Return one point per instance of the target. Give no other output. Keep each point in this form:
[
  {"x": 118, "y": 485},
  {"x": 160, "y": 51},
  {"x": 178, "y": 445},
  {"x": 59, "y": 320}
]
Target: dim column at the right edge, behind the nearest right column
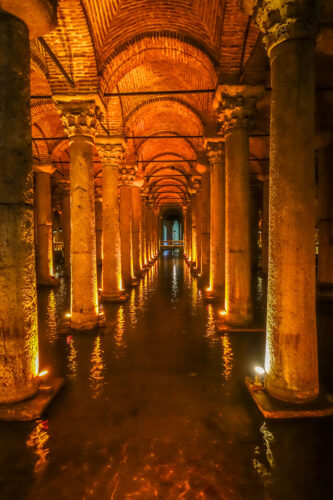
[{"x": 325, "y": 222}]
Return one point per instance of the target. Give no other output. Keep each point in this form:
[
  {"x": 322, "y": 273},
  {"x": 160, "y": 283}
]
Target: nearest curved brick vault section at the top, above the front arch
[{"x": 114, "y": 23}]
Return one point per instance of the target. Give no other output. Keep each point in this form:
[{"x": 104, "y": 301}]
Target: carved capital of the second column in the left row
[{"x": 79, "y": 117}]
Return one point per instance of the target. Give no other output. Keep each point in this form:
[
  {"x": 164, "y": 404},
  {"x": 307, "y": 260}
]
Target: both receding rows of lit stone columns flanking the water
[{"x": 127, "y": 225}]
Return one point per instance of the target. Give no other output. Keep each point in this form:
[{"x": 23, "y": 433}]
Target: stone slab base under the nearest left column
[{"x": 34, "y": 407}]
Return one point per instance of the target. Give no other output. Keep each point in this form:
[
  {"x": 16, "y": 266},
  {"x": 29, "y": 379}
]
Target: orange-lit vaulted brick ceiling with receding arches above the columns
[{"x": 113, "y": 46}]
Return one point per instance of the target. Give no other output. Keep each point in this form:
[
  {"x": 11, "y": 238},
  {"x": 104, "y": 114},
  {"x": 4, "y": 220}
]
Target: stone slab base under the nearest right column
[{"x": 274, "y": 408}]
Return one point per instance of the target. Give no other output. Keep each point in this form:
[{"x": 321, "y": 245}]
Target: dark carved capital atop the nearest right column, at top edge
[{"x": 283, "y": 20}]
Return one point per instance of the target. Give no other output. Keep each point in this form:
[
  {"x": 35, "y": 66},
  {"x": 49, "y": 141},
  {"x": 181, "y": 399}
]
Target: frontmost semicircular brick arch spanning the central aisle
[{"x": 158, "y": 47}]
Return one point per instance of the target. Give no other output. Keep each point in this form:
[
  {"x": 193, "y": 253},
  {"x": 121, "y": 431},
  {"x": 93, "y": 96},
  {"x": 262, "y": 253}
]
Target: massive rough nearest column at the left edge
[{"x": 18, "y": 299}]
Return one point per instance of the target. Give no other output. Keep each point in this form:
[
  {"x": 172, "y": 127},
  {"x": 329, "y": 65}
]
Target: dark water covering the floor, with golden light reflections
[{"x": 155, "y": 407}]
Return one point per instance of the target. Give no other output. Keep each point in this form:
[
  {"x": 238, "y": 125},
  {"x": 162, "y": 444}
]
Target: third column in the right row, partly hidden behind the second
[{"x": 215, "y": 151}]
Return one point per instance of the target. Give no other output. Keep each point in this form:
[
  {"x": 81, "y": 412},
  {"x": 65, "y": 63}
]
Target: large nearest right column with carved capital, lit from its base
[{"x": 291, "y": 344}]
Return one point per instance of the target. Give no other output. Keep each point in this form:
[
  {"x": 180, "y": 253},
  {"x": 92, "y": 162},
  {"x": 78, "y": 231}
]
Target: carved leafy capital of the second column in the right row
[{"x": 235, "y": 105}]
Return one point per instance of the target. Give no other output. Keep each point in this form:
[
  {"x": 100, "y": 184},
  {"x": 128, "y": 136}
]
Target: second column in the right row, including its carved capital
[{"x": 235, "y": 107}]
